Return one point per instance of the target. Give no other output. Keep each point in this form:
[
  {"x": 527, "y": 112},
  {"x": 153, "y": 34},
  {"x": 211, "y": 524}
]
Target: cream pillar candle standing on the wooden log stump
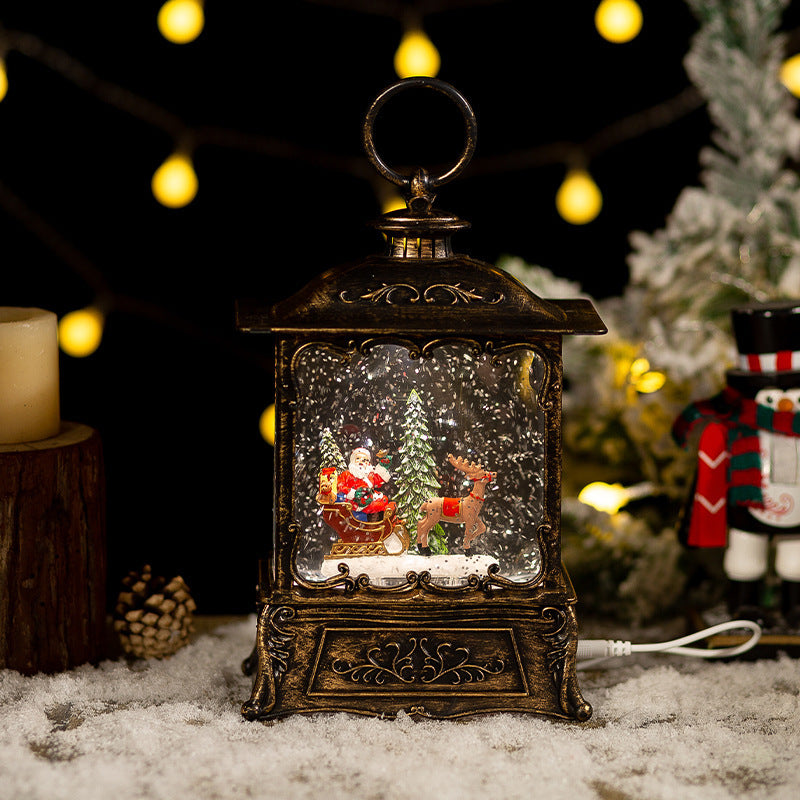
[{"x": 29, "y": 406}]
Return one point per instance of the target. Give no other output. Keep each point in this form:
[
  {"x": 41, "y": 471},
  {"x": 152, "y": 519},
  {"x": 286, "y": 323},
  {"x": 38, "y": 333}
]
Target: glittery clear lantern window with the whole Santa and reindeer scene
[{"x": 431, "y": 463}]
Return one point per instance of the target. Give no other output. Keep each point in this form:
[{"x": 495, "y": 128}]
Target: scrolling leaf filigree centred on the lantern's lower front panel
[{"x": 418, "y": 661}]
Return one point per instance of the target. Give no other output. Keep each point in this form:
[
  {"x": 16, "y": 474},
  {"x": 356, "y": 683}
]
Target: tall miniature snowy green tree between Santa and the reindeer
[{"x": 415, "y": 474}]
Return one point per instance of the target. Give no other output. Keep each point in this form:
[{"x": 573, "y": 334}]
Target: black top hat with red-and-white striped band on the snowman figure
[{"x": 768, "y": 341}]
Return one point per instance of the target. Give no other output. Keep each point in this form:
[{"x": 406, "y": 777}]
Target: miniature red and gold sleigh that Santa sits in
[{"x": 384, "y": 537}]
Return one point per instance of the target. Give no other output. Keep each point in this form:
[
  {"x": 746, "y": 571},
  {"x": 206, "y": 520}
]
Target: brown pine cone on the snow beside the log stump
[{"x": 153, "y": 618}]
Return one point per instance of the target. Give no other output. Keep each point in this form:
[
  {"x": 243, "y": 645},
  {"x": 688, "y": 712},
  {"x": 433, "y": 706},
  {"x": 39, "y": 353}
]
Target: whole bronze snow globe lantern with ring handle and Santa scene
[{"x": 417, "y": 558}]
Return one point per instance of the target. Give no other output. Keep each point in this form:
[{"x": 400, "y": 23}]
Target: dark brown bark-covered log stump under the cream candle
[{"x": 52, "y": 552}]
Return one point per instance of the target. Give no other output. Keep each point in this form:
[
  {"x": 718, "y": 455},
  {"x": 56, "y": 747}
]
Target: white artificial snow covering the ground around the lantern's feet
[{"x": 663, "y": 727}]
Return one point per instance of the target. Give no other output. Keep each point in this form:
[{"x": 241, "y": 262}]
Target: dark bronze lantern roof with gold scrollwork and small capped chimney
[{"x": 424, "y": 288}]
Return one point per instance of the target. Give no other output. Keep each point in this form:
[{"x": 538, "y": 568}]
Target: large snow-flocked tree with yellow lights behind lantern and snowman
[{"x": 734, "y": 239}]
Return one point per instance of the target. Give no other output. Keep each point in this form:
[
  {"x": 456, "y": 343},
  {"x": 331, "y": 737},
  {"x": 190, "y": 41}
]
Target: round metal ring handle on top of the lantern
[{"x": 427, "y": 83}]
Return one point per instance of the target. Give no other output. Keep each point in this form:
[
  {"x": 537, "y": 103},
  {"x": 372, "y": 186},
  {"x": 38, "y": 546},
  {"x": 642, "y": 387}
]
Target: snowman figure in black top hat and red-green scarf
[{"x": 747, "y": 491}]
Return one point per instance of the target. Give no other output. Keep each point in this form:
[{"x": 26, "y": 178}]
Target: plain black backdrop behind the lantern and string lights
[{"x": 174, "y": 390}]
